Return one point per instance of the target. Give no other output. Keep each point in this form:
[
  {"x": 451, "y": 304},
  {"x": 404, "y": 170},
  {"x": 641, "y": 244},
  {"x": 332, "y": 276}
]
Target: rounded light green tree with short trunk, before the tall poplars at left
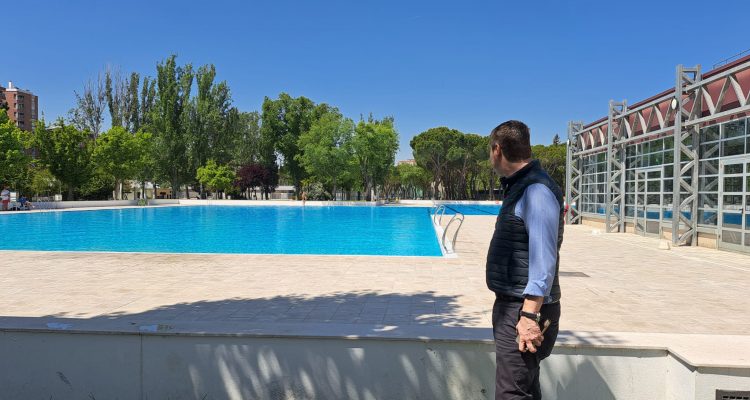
[{"x": 116, "y": 154}]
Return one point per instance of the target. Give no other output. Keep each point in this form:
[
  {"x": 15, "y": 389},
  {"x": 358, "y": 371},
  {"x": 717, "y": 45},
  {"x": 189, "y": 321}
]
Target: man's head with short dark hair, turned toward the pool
[{"x": 510, "y": 147}]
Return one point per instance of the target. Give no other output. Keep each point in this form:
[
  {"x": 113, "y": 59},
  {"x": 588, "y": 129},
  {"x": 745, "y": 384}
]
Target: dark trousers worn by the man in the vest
[{"x": 517, "y": 374}]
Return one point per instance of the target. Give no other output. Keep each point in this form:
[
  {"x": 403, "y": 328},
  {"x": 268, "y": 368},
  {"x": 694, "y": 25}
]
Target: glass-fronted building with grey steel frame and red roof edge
[{"x": 676, "y": 165}]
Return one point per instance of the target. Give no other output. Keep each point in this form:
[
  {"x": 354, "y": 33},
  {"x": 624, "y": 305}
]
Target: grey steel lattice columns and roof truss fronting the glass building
[{"x": 679, "y": 113}]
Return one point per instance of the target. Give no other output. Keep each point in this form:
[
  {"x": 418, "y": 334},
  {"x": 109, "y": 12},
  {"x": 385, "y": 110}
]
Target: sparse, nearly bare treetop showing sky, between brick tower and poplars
[{"x": 88, "y": 114}]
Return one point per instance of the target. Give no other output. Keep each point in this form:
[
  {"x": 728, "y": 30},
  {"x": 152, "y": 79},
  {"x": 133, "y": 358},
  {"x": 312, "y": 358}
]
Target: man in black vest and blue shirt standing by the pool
[{"x": 522, "y": 264}]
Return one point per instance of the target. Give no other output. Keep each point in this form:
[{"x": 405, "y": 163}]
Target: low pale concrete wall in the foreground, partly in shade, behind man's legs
[{"x": 65, "y": 365}]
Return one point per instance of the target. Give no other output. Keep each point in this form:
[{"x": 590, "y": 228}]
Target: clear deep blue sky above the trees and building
[{"x": 467, "y": 65}]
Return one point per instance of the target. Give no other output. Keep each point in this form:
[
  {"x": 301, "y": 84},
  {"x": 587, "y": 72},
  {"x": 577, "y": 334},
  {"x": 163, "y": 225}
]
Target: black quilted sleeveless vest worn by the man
[{"x": 508, "y": 255}]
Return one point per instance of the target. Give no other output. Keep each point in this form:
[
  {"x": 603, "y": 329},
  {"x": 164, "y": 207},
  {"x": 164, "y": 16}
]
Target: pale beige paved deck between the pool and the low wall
[{"x": 616, "y": 288}]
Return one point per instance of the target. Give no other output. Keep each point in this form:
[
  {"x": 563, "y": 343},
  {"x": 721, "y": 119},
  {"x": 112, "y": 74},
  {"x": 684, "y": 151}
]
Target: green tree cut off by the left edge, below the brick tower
[{"x": 14, "y": 158}]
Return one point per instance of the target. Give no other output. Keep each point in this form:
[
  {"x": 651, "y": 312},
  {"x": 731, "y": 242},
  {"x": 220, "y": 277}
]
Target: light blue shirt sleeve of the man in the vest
[{"x": 540, "y": 211}]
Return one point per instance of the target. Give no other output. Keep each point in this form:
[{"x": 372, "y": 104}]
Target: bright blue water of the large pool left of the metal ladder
[{"x": 352, "y": 230}]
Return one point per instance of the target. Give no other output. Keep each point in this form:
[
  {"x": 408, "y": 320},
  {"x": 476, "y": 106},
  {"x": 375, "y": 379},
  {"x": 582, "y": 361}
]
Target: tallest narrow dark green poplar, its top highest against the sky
[{"x": 170, "y": 120}]
